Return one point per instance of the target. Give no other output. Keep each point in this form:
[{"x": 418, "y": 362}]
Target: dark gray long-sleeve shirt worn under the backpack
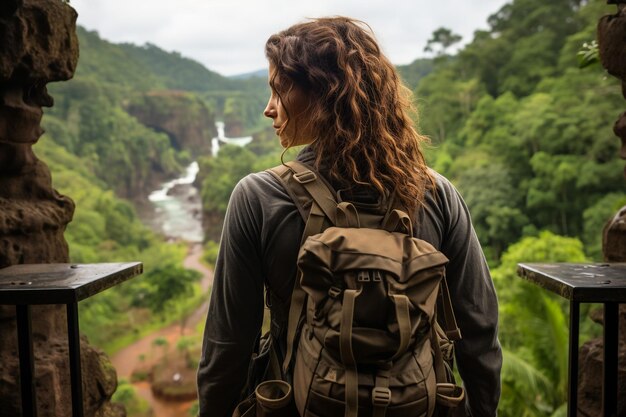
[{"x": 259, "y": 246}]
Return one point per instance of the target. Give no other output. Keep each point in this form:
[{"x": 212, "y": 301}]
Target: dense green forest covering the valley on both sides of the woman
[{"x": 520, "y": 129}]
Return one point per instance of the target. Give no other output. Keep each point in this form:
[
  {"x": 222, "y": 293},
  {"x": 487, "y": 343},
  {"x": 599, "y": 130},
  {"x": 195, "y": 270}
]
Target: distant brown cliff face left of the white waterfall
[{"x": 182, "y": 116}]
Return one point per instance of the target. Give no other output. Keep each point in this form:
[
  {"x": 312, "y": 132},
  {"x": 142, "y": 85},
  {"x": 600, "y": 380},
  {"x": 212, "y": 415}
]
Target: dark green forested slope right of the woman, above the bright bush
[{"x": 522, "y": 131}]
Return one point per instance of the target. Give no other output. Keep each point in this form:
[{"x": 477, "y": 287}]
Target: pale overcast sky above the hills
[{"x": 228, "y": 36}]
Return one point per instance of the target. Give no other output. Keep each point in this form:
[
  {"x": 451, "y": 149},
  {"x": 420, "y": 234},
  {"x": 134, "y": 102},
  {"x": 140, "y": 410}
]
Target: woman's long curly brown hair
[{"x": 359, "y": 109}]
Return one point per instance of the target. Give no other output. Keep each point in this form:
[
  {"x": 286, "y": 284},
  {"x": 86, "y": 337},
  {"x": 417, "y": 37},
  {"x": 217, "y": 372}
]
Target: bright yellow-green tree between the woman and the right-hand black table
[{"x": 533, "y": 329}]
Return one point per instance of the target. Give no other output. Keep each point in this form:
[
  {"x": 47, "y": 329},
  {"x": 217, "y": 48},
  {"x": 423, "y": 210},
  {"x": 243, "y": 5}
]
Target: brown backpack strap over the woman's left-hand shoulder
[{"x": 303, "y": 184}]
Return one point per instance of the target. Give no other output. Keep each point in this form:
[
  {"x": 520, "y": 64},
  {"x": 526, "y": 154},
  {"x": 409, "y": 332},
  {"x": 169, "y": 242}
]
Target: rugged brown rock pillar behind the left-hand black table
[{"x": 38, "y": 46}]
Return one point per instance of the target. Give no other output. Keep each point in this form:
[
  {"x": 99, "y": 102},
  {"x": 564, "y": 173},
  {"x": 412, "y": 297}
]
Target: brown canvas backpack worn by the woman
[{"x": 362, "y": 321}]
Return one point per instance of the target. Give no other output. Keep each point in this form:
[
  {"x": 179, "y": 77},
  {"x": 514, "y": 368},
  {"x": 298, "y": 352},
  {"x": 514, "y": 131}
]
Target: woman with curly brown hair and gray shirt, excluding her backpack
[{"x": 333, "y": 90}]
